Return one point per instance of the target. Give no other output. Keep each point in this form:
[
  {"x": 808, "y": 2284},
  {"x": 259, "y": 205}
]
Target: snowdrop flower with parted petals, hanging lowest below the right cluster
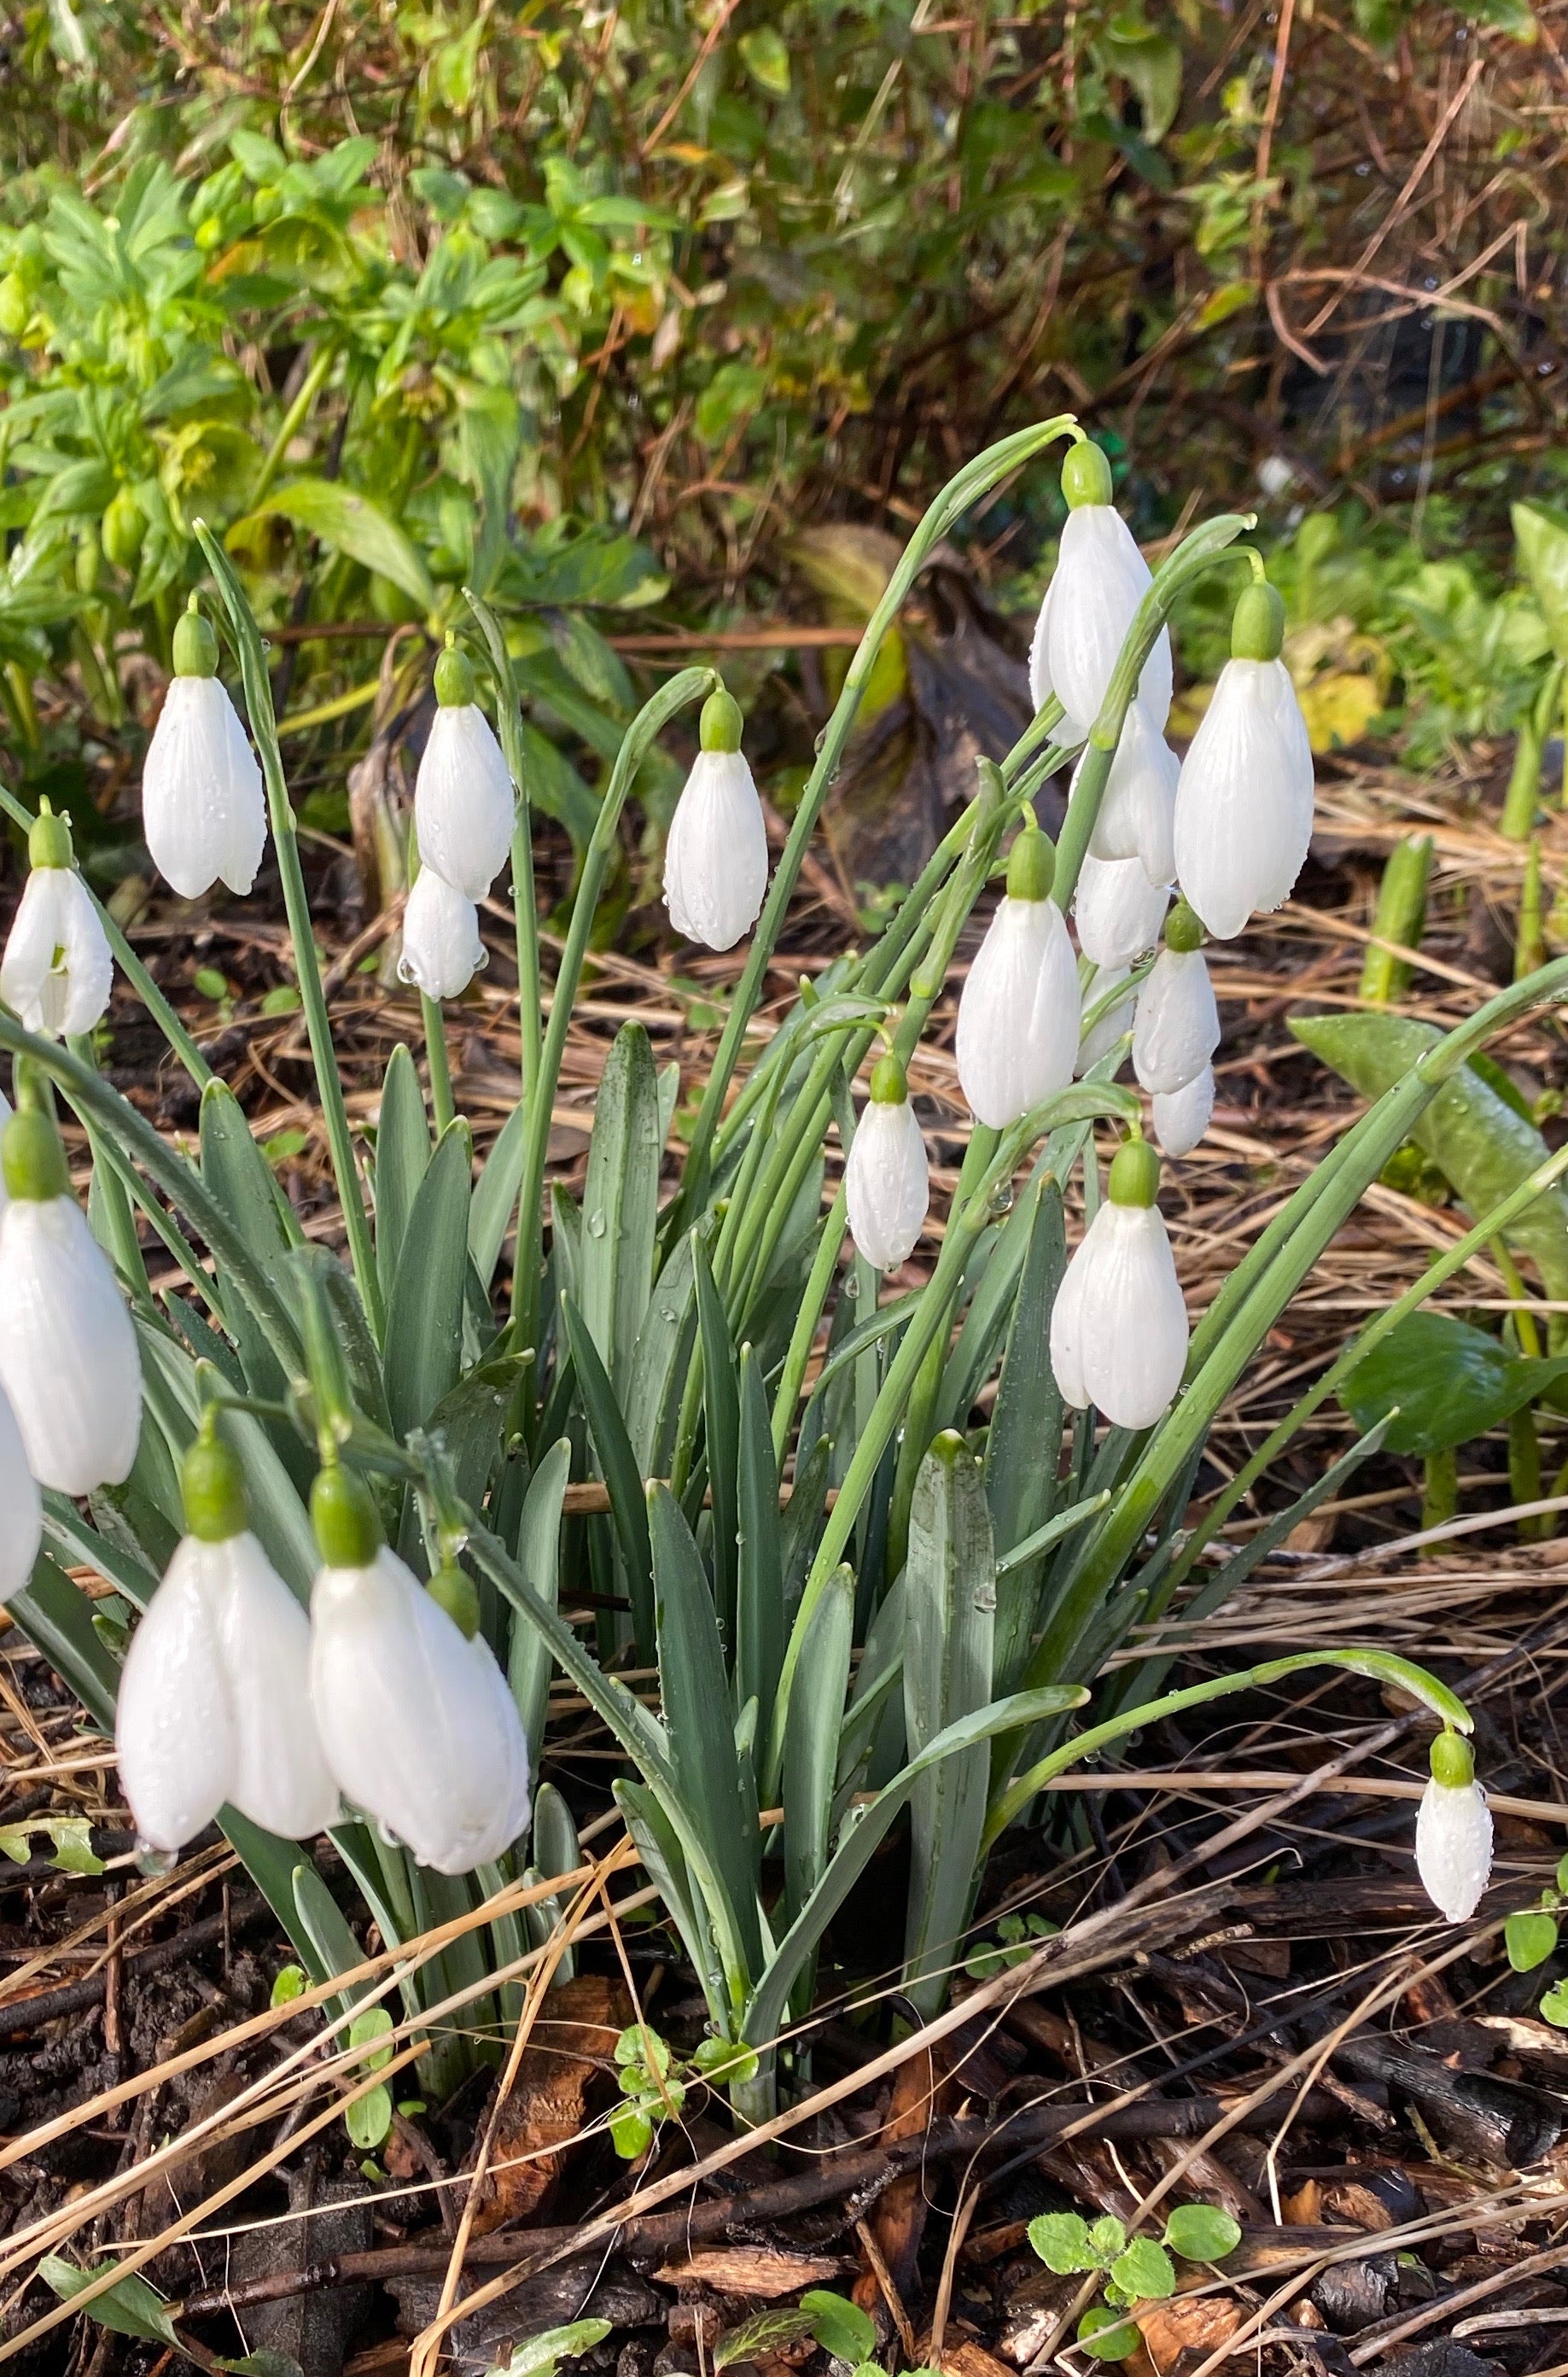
[{"x": 1120, "y": 1328}]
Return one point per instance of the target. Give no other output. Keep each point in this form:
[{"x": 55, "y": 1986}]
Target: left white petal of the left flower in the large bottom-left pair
[{"x": 175, "y": 1725}]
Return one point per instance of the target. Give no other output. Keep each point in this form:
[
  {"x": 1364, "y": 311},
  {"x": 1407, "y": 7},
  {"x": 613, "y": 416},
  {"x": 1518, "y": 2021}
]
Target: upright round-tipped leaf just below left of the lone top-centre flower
[{"x": 621, "y": 1204}]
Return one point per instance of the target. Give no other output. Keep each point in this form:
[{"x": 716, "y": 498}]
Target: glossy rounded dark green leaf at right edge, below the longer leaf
[{"x": 1443, "y": 1380}]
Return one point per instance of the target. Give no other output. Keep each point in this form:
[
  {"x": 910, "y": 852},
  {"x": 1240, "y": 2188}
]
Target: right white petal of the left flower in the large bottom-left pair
[{"x": 265, "y": 1646}]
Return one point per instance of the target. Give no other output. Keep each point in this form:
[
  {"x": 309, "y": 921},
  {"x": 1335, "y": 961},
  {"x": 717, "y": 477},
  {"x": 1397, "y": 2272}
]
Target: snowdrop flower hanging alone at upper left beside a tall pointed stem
[{"x": 203, "y": 807}]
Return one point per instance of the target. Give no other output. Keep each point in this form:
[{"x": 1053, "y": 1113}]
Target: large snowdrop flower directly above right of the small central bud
[{"x": 1018, "y": 1016}]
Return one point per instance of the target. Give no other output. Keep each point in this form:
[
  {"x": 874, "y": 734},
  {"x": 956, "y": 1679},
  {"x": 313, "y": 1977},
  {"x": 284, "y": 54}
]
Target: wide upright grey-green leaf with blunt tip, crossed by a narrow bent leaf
[{"x": 947, "y": 1675}]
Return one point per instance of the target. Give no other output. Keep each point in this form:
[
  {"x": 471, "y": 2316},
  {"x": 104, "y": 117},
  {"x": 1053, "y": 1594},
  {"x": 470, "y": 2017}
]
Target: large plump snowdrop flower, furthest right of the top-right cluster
[{"x": 1244, "y": 802}]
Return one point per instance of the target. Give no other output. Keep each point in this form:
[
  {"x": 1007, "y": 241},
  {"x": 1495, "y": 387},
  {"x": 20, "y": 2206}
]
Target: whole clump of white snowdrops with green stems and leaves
[{"x": 878, "y": 1544}]
